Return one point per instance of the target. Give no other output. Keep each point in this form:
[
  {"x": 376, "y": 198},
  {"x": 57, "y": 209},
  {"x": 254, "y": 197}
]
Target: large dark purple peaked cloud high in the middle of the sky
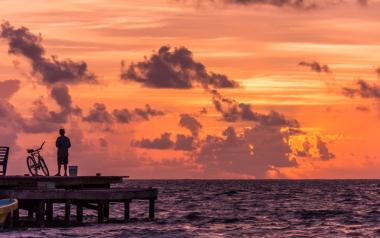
[{"x": 174, "y": 69}]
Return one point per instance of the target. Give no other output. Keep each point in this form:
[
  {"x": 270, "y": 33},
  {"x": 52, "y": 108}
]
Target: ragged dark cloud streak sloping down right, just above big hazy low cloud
[{"x": 233, "y": 111}]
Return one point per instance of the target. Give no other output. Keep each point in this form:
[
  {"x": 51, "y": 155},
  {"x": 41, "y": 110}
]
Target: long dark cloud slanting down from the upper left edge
[{"x": 52, "y": 70}]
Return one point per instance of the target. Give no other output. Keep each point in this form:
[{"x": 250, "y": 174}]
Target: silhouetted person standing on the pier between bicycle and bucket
[{"x": 63, "y": 144}]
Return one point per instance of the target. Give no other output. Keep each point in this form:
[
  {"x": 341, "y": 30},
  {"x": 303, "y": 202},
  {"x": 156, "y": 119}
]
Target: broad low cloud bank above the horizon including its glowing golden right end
[{"x": 258, "y": 151}]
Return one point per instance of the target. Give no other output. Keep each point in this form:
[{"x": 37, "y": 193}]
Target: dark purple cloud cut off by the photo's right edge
[{"x": 363, "y": 89}]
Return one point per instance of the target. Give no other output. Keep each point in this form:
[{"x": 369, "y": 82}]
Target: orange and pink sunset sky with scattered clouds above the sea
[{"x": 212, "y": 89}]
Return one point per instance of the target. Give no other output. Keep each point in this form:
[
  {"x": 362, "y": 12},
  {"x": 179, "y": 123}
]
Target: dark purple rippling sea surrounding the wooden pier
[{"x": 239, "y": 208}]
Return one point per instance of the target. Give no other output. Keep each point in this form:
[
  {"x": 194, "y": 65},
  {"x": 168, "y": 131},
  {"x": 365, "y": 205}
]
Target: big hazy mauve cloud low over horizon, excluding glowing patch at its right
[{"x": 253, "y": 152}]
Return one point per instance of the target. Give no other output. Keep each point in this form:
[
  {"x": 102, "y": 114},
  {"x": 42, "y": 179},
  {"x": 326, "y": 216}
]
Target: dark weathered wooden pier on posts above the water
[{"x": 38, "y": 194}]
